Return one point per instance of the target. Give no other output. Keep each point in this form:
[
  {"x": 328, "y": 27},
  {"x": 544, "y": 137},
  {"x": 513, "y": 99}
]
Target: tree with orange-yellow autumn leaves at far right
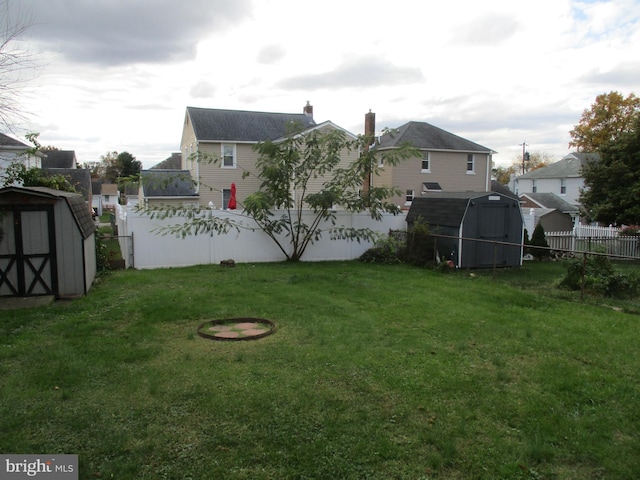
[{"x": 609, "y": 117}]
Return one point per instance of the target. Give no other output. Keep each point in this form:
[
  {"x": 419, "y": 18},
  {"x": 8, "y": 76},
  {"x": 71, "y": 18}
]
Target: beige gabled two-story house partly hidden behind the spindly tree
[{"x": 217, "y": 149}]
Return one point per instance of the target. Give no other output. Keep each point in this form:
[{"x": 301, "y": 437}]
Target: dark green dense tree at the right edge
[{"x": 612, "y": 184}]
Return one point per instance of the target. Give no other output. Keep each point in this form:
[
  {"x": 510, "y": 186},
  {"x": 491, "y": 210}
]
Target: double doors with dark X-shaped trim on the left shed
[{"x": 27, "y": 252}]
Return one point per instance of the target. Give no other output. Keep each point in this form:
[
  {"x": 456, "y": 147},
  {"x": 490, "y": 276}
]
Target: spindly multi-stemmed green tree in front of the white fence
[{"x": 287, "y": 209}]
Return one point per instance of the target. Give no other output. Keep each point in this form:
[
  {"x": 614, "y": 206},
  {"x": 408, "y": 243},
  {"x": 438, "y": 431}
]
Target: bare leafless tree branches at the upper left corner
[{"x": 17, "y": 64}]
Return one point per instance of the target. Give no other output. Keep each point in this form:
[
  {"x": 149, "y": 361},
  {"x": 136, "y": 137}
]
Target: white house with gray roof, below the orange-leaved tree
[{"x": 563, "y": 178}]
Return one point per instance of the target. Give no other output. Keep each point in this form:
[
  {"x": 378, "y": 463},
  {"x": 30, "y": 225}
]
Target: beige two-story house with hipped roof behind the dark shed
[{"x": 448, "y": 163}]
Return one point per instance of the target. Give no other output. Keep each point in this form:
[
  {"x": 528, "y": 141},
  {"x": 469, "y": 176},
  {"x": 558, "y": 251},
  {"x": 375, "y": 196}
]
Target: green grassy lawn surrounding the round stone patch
[{"x": 375, "y": 372}]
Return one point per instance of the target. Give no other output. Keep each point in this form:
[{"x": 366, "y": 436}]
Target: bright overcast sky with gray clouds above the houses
[{"x": 118, "y": 75}]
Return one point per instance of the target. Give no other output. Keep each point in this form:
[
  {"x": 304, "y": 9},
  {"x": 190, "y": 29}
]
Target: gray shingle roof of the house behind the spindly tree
[{"x": 241, "y": 126}]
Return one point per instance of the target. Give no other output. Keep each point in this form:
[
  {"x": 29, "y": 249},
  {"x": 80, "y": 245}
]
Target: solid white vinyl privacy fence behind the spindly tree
[{"x": 151, "y": 249}]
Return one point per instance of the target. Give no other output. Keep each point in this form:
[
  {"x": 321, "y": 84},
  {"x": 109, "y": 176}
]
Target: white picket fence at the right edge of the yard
[{"x": 586, "y": 238}]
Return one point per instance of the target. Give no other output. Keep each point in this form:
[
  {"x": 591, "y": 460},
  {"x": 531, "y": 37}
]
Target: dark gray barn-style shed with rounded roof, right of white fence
[{"x": 477, "y": 221}]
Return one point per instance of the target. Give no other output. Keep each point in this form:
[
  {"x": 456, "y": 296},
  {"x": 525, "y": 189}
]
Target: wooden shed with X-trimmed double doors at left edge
[{"x": 47, "y": 245}]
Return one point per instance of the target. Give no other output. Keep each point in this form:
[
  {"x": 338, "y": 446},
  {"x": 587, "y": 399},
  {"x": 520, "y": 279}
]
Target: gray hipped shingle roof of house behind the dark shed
[{"x": 428, "y": 137}]
